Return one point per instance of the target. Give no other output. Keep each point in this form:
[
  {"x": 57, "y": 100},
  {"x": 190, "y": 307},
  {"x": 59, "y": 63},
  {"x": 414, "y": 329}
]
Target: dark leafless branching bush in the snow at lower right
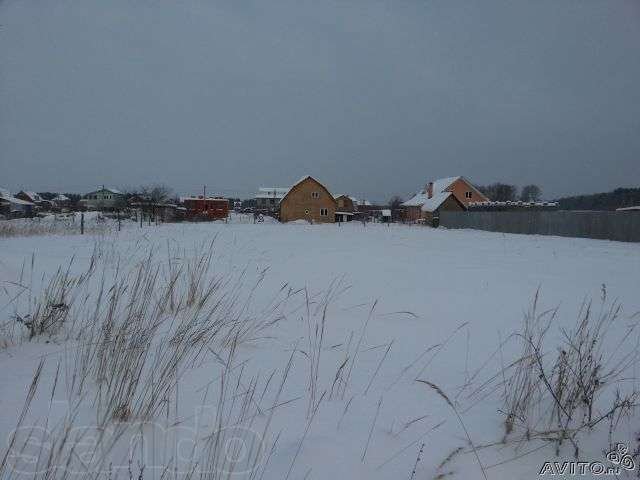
[{"x": 556, "y": 393}]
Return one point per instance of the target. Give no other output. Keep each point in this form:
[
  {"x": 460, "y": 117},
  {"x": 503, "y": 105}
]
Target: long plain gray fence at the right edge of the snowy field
[{"x": 621, "y": 226}]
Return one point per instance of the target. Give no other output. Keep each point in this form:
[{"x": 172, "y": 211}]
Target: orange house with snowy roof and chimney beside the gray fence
[{"x": 451, "y": 193}]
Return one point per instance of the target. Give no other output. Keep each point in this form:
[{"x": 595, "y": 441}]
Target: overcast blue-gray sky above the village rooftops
[{"x": 371, "y": 97}]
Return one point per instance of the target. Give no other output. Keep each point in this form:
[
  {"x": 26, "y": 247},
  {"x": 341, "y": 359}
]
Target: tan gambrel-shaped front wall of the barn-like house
[{"x": 301, "y": 204}]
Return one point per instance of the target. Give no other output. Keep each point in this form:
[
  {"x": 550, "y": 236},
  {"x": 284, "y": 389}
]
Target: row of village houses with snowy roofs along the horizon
[{"x": 307, "y": 199}]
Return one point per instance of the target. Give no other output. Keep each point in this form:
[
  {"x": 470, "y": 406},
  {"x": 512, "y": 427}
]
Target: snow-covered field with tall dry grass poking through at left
[{"x": 313, "y": 343}]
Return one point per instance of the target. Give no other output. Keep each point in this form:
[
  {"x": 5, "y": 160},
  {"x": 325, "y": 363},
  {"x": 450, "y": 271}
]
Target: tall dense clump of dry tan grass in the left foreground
[{"x": 150, "y": 324}]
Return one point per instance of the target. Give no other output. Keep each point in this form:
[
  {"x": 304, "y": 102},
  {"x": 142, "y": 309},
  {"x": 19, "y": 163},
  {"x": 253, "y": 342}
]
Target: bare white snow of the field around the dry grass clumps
[{"x": 443, "y": 301}]
